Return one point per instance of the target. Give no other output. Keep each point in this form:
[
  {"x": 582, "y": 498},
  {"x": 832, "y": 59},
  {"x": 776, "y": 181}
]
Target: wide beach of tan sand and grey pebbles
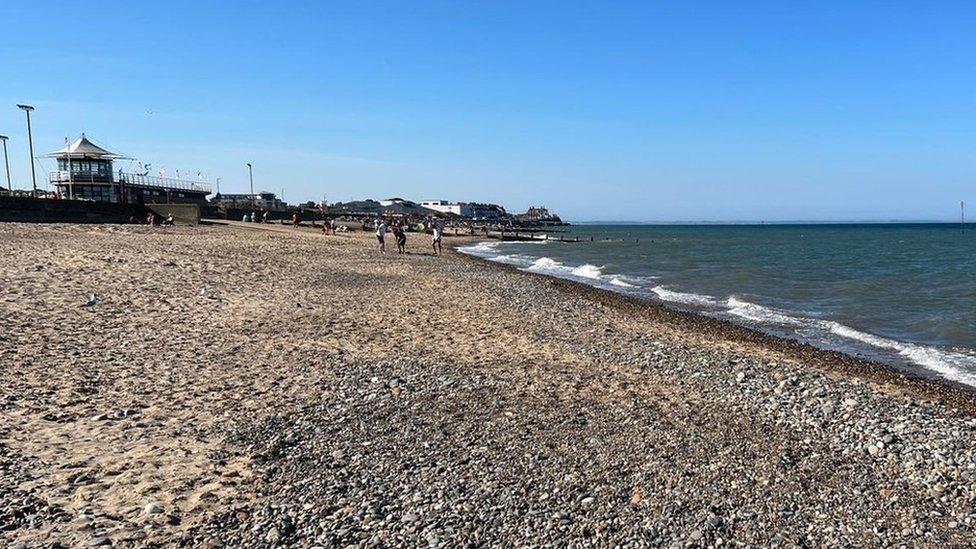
[{"x": 260, "y": 386}]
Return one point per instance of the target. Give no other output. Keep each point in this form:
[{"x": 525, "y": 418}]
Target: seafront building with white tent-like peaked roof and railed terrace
[{"x": 85, "y": 172}]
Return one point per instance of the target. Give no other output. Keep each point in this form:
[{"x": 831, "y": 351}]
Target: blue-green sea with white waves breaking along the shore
[{"x": 901, "y": 294}]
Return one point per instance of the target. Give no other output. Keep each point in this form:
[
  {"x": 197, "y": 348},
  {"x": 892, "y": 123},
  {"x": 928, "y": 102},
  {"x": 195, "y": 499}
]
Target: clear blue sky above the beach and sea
[{"x": 600, "y": 110}]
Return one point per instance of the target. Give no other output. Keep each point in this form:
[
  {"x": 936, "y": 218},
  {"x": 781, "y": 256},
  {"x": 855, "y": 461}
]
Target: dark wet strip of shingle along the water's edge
[{"x": 931, "y": 386}]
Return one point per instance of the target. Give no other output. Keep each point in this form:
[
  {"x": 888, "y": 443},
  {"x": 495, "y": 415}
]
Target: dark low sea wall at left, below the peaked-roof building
[{"x": 42, "y": 210}]
